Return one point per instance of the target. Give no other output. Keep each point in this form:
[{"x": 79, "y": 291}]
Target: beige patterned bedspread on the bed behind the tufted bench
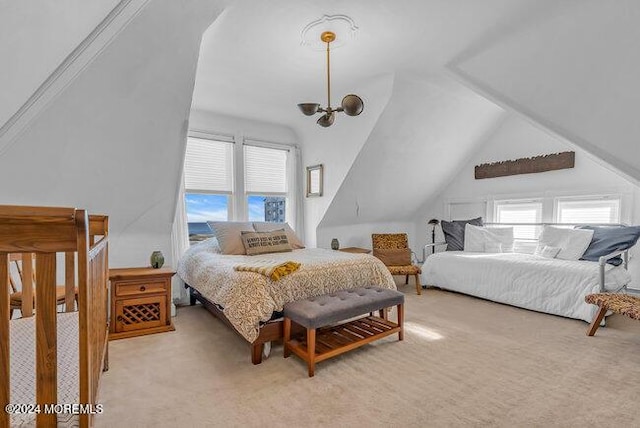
[{"x": 248, "y": 297}]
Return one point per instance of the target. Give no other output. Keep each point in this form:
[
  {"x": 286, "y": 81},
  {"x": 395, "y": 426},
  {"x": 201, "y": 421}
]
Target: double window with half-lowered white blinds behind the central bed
[{"x": 226, "y": 181}]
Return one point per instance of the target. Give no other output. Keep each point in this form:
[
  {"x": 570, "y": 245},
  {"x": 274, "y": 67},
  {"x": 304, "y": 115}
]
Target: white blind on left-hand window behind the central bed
[{"x": 208, "y": 166}]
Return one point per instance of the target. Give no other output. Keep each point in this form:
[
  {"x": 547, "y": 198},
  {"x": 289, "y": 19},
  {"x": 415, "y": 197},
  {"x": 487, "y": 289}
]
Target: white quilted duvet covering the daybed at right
[{"x": 533, "y": 282}]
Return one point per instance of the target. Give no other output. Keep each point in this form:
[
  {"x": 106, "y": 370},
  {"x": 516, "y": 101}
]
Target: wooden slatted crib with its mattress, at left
[{"x": 53, "y": 358}]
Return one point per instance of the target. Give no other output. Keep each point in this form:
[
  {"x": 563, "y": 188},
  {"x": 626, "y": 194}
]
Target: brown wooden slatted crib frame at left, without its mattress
[{"x": 41, "y": 233}]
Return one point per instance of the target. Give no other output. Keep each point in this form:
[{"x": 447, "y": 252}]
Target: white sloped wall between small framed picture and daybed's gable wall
[{"x": 419, "y": 142}]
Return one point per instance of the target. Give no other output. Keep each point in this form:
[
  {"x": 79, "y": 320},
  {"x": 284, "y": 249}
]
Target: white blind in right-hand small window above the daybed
[{"x": 601, "y": 210}]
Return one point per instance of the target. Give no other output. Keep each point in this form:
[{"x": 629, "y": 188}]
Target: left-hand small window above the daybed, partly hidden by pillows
[{"x": 518, "y": 211}]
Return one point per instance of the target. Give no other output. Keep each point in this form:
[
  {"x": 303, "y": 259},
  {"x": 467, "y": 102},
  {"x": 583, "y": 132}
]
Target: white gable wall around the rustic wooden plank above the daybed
[{"x": 516, "y": 138}]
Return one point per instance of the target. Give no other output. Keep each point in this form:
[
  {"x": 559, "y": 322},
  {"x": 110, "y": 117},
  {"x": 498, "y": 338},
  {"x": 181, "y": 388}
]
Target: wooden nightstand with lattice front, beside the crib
[{"x": 140, "y": 302}]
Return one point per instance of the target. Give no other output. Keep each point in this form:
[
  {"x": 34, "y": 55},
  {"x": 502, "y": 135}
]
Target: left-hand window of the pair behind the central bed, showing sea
[{"x": 208, "y": 181}]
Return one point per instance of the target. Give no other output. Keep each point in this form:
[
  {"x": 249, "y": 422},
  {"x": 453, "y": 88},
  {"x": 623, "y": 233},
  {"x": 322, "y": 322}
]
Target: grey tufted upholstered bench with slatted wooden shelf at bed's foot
[{"x": 319, "y": 315}]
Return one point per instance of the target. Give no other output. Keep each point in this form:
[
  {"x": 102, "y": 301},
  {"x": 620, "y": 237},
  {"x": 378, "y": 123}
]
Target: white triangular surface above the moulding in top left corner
[{"x": 35, "y": 37}]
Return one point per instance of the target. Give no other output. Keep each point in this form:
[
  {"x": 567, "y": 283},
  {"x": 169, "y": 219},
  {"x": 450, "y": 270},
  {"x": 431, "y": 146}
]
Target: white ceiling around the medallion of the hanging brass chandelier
[{"x": 252, "y": 63}]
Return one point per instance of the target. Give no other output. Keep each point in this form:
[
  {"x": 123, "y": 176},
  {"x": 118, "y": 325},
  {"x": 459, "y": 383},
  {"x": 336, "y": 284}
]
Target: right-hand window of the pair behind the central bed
[{"x": 265, "y": 183}]
